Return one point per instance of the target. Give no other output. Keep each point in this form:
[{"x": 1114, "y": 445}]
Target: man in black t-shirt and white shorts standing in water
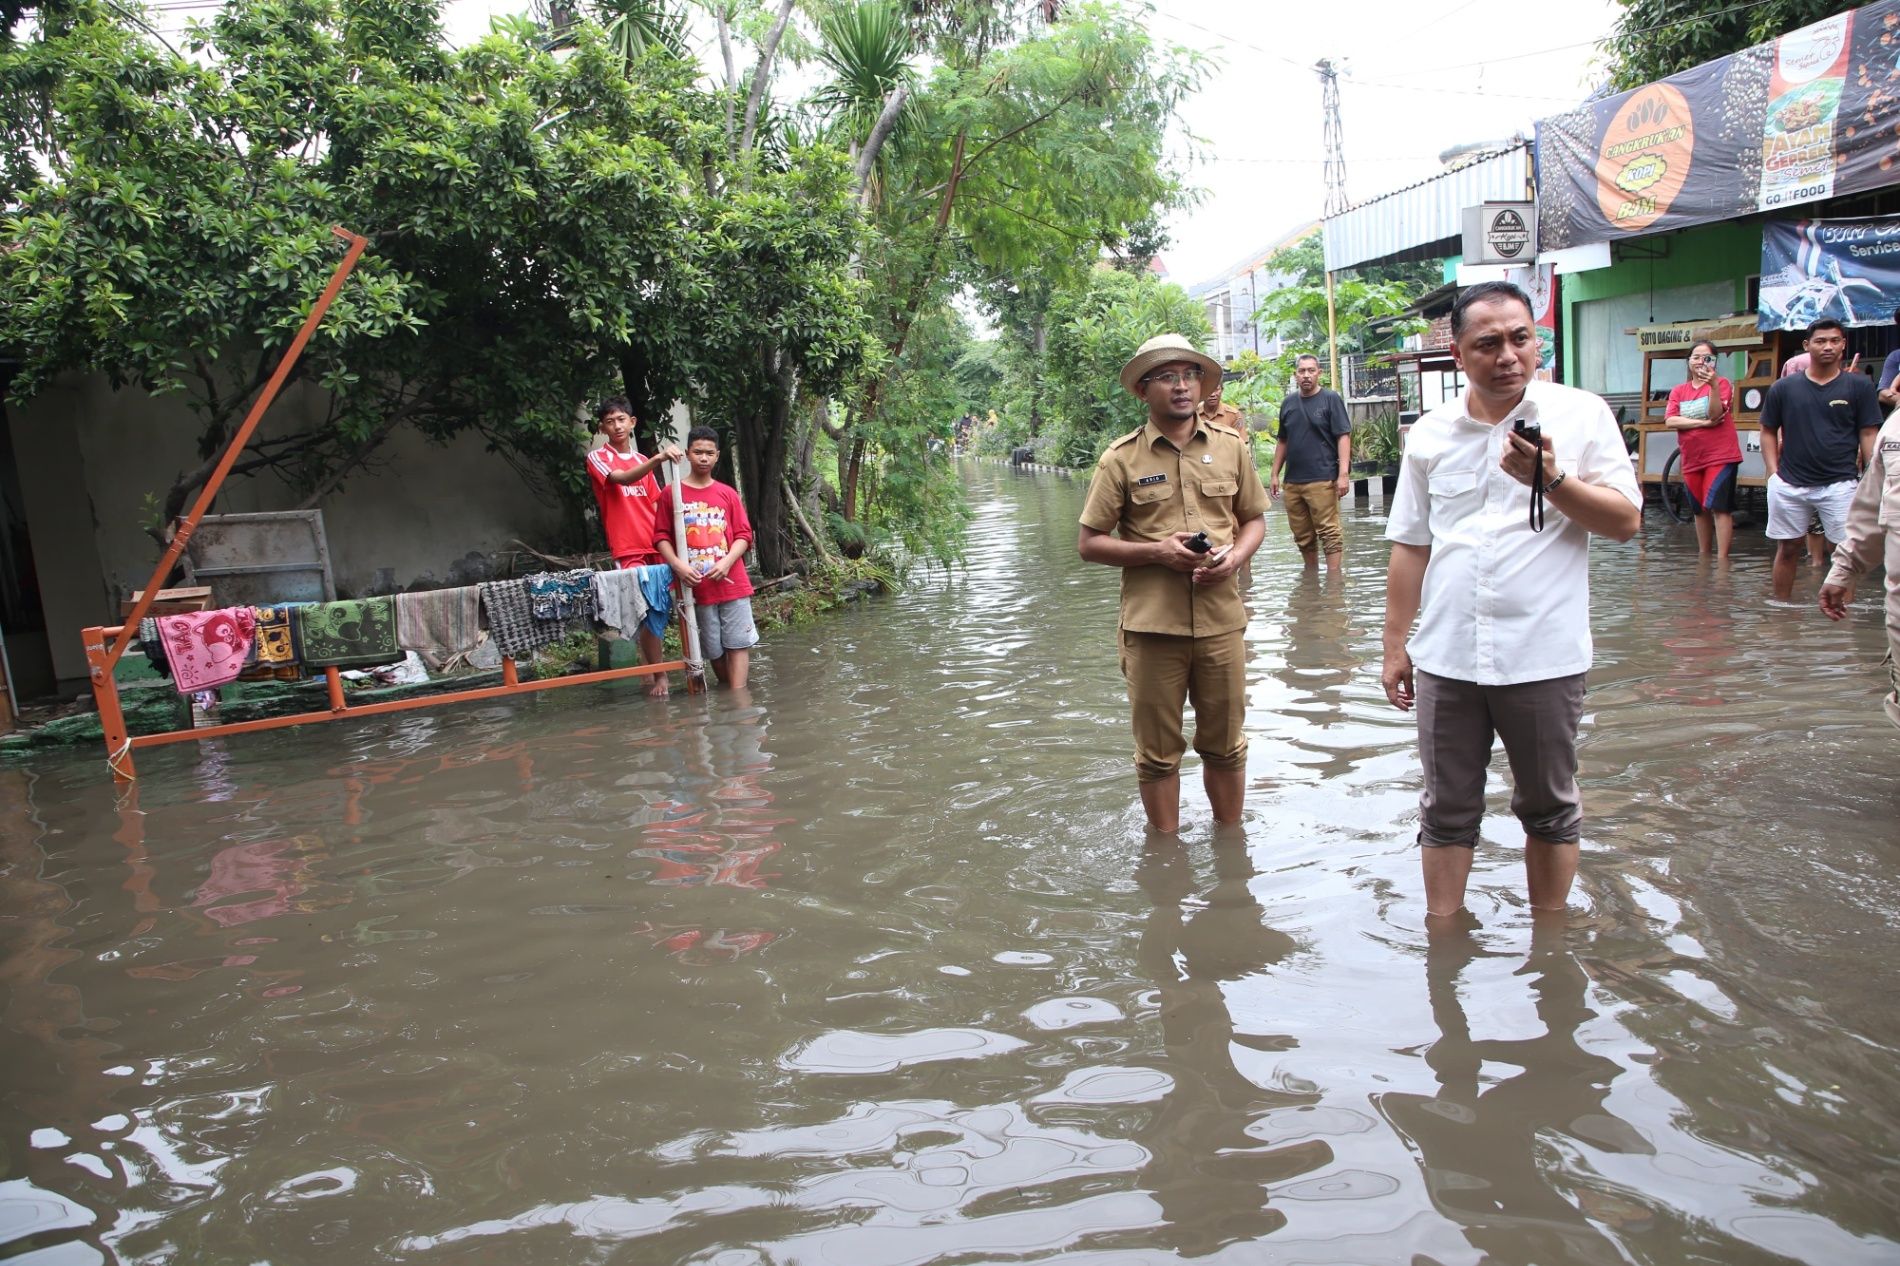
[{"x": 1817, "y": 432}]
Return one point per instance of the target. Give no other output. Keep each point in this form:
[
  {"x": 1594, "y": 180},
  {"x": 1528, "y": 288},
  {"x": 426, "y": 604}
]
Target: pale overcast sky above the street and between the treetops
[{"x": 1418, "y": 81}]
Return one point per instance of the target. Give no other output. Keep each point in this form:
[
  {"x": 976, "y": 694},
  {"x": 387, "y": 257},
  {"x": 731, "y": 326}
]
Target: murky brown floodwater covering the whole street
[{"x": 877, "y": 967}]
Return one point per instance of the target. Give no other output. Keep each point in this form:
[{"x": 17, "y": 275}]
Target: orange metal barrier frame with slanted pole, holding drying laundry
[{"x": 104, "y": 657}]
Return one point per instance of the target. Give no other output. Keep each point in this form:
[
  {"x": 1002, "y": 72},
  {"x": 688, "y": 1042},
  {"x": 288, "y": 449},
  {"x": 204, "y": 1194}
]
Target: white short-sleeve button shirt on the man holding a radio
[{"x": 1504, "y": 604}]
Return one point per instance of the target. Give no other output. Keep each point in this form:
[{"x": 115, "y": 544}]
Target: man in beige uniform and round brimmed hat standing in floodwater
[{"x": 1158, "y": 489}]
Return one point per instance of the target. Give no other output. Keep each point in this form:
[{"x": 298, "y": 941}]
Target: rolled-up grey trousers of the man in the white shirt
[{"x": 1536, "y": 719}]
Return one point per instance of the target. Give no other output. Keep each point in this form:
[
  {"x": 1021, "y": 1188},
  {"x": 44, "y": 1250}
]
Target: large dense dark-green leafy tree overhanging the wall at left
[{"x": 535, "y": 225}]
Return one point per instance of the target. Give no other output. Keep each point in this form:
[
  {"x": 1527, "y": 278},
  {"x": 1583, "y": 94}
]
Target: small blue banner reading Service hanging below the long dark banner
[{"x": 1848, "y": 271}]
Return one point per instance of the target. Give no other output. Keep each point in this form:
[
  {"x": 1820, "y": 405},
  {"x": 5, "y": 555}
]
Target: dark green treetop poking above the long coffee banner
[{"x": 1656, "y": 39}]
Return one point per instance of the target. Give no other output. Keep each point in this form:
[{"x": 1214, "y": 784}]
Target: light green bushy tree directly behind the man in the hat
[{"x": 1093, "y": 332}]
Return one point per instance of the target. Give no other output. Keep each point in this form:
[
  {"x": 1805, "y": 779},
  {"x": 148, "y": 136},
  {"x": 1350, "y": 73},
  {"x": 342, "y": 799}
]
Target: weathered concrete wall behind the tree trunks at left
[{"x": 90, "y": 455}]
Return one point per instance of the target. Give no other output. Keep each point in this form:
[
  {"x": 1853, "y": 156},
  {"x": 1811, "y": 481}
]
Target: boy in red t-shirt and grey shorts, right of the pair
[{"x": 717, "y": 539}]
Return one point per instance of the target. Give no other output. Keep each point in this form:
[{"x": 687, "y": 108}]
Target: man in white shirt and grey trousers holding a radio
[{"x": 1504, "y": 609}]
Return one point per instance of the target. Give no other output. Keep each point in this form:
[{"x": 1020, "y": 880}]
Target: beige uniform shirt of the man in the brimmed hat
[{"x": 1145, "y": 489}]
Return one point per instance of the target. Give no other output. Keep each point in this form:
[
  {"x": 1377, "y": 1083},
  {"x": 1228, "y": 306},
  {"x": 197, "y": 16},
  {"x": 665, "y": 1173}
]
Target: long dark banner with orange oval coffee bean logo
[{"x": 1779, "y": 125}]
